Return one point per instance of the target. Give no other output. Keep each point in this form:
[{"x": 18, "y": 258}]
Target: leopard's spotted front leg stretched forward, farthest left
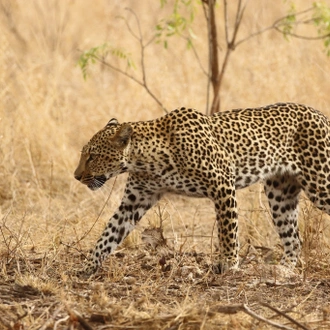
[{"x": 135, "y": 203}]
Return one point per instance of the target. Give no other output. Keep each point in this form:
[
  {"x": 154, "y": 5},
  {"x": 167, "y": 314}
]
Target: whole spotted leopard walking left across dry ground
[{"x": 284, "y": 146}]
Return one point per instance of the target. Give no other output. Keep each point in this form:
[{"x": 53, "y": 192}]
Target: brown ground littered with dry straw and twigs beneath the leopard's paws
[{"x": 155, "y": 287}]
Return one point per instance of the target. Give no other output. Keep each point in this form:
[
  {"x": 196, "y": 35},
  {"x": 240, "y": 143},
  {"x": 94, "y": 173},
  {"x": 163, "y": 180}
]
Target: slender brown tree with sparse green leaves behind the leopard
[{"x": 318, "y": 16}]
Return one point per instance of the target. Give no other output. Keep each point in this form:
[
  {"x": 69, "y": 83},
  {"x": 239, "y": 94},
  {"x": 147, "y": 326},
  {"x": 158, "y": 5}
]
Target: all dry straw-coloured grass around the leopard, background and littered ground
[{"x": 47, "y": 112}]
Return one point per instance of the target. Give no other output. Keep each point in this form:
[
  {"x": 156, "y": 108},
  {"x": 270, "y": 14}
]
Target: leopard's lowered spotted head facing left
[{"x": 103, "y": 156}]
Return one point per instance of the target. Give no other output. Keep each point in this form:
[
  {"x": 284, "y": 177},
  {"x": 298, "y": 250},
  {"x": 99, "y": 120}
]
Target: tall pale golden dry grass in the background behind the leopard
[{"x": 48, "y": 111}]
